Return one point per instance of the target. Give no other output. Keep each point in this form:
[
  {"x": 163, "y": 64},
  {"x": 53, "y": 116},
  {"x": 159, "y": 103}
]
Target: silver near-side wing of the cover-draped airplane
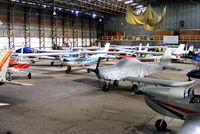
[{"x": 153, "y": 81}]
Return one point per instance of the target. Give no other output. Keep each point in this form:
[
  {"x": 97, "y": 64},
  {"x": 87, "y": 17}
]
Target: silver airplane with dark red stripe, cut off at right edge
[{"x": 176, "y": 102}]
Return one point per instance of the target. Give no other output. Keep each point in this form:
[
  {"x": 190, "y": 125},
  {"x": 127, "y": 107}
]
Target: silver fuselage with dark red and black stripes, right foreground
[{"x": 174, "y": 102}]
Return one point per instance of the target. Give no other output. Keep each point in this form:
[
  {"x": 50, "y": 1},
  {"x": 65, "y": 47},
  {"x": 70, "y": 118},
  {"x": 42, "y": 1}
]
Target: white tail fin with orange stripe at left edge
[{"x": 5, "y": 57}]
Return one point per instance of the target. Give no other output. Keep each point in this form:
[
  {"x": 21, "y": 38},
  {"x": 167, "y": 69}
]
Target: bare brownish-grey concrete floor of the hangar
[{"x": 60, "y": 103}]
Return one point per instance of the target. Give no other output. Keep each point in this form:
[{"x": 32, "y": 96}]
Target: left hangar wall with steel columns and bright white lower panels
[{"x": 38, "y": 28}]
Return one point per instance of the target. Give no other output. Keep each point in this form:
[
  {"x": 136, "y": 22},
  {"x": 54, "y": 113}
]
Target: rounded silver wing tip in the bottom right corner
[{"x": 191, "y": 126}]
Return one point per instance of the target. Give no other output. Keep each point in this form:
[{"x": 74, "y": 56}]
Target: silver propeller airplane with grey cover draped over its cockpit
[{"x": 133, "y": 70}]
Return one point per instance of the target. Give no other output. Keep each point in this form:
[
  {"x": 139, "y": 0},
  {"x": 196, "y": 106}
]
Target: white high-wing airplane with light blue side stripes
[{"x": 70, "y": 60}]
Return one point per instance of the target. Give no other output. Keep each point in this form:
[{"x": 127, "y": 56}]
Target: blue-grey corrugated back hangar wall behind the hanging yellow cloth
[{"x": 176, "y": 11}]
